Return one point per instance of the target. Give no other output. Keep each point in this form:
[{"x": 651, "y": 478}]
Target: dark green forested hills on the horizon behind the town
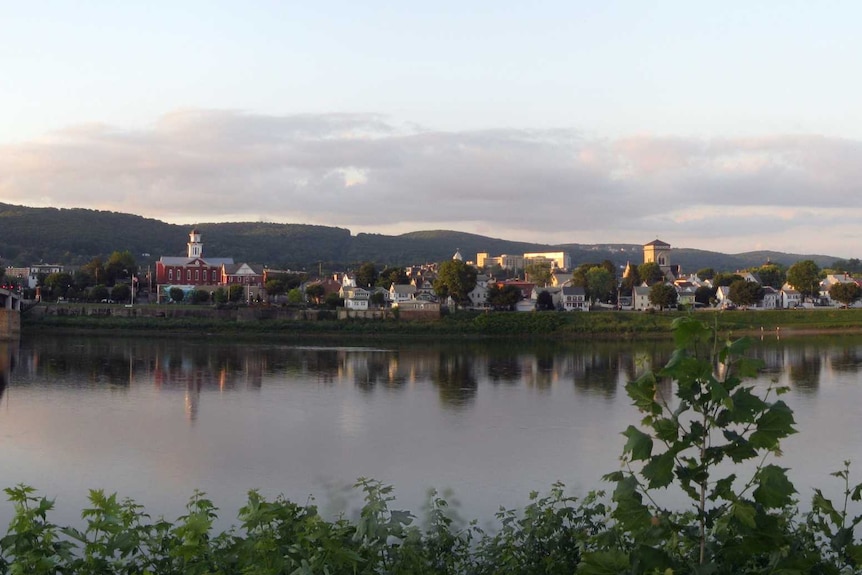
[{"x": 76, "y": 236}]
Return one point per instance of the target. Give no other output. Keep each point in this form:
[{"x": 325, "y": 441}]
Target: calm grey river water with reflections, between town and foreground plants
[{"x": 155, "y": 419}]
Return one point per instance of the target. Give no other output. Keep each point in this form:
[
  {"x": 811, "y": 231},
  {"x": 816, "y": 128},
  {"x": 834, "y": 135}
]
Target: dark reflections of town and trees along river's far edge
[{"x": 194, "y": 368}]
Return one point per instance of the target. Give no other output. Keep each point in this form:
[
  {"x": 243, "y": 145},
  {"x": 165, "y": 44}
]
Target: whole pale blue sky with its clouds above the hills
[{"x": 729, "y": 127}]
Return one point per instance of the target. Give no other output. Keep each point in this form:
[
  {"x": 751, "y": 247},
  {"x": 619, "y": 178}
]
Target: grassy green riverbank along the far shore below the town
[{"x": 281, "y": 322}]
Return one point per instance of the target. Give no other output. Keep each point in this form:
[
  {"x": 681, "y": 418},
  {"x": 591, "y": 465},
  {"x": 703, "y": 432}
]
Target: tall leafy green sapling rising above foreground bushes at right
[{"x": 685, "y": 442}]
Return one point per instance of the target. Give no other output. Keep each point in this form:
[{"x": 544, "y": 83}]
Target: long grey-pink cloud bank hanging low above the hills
[{"x": 362, "y": 172}]
